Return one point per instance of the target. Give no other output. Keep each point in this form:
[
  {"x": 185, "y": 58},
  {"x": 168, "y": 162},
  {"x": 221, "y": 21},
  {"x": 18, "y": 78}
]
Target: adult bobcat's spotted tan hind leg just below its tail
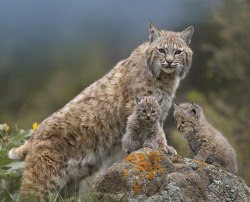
[{"x": 43, "y": 176}]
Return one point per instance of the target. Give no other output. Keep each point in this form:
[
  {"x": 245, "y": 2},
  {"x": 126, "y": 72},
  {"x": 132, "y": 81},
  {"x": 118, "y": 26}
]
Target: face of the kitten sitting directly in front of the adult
[{"x": 148, "y": 109}]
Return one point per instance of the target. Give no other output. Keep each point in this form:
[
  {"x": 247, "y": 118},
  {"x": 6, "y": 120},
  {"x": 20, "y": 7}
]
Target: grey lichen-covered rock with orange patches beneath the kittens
[{"x": 151, "y": 175}]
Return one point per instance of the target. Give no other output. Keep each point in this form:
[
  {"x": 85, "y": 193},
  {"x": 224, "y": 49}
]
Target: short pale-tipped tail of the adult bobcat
[{"x": 19, "y": 153}]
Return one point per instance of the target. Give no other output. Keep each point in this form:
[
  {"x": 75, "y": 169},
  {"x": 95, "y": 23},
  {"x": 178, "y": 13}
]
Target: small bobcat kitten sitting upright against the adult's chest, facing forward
[{"x": 143, "y": 126}]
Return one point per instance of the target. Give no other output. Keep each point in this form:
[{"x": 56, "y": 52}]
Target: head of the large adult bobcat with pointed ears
[{"x": 169, "y": 51}]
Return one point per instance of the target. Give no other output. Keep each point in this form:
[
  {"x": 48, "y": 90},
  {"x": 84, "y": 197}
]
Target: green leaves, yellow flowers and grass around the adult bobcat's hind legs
[{"x": 11, "y": 170}]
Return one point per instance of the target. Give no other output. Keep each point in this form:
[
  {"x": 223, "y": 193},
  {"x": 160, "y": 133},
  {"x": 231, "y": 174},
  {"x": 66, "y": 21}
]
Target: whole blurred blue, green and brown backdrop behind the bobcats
[{"x": 51, "y": 50}]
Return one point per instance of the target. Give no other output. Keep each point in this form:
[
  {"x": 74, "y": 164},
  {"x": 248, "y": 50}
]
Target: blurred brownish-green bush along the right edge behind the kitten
[{"x": 228, "y": 73}]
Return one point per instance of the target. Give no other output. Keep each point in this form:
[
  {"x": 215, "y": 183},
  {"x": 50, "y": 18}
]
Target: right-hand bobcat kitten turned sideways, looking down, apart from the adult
[{"x": 205, "y": 142}]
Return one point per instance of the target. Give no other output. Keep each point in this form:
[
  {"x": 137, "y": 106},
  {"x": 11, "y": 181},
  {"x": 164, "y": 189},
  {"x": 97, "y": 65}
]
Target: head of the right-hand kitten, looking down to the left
[{"x": 187, "y": 117}]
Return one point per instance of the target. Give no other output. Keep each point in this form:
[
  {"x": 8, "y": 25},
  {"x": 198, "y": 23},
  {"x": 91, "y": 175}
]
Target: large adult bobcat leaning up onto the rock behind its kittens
[{"x": 73, "y": 142}]
